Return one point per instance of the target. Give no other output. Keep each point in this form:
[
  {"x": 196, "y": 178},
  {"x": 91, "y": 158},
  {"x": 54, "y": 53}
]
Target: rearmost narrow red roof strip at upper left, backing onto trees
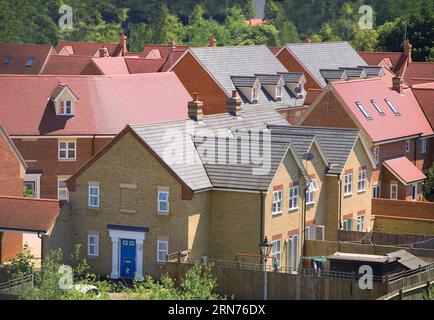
[{"x": 89, "y": 49}]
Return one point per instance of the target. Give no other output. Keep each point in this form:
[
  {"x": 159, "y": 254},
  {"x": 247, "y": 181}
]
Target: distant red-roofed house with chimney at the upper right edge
[{"x": 402, "y": 65}]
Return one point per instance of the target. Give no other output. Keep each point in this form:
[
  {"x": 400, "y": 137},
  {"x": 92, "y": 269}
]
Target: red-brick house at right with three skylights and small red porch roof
[{"x": 393, "y": 124}]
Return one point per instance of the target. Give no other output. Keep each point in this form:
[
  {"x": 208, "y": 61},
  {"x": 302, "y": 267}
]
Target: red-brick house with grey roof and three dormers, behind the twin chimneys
[{"x": 253, "y": 71}]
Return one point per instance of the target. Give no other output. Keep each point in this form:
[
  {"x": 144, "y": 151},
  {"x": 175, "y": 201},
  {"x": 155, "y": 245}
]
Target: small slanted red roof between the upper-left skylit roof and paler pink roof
[{"x": 65, "y": 65}]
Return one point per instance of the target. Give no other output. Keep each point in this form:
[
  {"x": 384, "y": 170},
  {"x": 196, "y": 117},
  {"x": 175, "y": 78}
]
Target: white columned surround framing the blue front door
[{"x": 121, "y": 232}]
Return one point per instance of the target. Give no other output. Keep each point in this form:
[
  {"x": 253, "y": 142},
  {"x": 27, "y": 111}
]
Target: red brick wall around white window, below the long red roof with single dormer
[{"x": 45, "y": 151}]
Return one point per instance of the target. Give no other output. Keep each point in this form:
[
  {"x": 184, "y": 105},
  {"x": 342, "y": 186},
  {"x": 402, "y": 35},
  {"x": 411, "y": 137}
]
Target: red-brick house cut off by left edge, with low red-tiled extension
[{"x": 19, "y": 215}]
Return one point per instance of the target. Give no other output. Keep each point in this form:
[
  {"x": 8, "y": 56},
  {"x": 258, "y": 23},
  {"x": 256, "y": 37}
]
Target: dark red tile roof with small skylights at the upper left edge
[{"x": 18, "y": 54}]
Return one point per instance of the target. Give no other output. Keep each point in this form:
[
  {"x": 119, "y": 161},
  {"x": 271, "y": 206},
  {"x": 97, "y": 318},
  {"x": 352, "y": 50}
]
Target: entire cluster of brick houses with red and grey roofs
[{"x": 137, "y": 164}]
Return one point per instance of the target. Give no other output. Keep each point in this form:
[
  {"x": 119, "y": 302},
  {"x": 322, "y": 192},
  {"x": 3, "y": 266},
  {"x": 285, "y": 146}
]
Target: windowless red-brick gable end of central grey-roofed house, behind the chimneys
[{"x": 196, "y": 79}]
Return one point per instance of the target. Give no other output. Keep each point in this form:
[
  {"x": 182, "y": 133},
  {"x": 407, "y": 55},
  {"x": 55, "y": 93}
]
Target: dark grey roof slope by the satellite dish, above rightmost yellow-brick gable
[{"x": 336, "y": 143}]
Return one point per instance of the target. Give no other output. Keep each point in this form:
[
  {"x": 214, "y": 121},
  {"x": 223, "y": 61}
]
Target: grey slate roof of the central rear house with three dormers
[{"x": 224, "y": 62}]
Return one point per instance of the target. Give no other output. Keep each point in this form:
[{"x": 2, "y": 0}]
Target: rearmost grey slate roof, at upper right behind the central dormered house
[{"x": 315, "y": 56}]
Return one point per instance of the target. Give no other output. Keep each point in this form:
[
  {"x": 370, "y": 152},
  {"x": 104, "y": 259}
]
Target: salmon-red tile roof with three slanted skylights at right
[{"x": 411, "y": 120}]
